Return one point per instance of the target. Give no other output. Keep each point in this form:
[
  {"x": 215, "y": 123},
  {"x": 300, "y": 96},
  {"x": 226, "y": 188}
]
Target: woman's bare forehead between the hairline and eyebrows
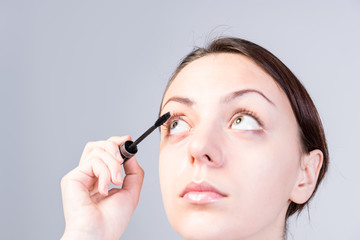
[{"x": 215, "y": 75}]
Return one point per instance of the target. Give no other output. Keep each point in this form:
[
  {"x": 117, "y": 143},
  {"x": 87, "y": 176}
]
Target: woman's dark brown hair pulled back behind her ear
[{"x": 311, "y": 130}]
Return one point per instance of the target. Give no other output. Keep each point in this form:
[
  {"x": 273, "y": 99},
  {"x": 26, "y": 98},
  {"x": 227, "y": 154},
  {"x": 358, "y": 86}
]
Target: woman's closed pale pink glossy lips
[{"x": 201, "y": 193}]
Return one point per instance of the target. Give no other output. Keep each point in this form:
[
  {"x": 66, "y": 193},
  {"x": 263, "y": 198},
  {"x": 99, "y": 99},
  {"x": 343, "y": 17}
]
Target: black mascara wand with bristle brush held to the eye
[{"x": 129, "y": 148}]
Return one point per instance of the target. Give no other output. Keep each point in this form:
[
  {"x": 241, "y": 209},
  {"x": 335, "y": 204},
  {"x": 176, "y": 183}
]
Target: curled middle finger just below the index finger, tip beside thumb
[{"x": 112, "y": 164}]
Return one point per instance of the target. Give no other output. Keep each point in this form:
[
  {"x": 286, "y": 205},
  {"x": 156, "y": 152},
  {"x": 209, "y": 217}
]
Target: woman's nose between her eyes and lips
[{"x": 205, "y": 147}]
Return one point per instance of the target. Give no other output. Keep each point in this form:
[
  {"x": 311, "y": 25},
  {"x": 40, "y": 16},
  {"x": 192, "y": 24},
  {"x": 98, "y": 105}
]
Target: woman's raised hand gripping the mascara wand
[{"x": 91, "y": 210}]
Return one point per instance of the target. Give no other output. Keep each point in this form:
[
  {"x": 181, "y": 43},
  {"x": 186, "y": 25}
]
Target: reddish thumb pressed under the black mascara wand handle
[{"x": 133, "y": 179}]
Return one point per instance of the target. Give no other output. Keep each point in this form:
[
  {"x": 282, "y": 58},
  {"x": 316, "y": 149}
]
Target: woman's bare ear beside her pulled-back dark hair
[{"x": 307, "y": 178}]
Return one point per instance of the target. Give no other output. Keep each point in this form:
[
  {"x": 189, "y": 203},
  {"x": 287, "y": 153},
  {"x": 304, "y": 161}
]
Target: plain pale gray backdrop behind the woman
[{"x": 78, "y": 71}]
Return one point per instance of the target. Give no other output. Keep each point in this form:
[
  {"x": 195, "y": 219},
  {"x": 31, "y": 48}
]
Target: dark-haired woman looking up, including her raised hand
[{"x": 243, "y": 150}]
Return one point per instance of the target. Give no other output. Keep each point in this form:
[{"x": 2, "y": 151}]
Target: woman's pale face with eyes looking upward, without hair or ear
[{"x": 229, "y": 156}]
